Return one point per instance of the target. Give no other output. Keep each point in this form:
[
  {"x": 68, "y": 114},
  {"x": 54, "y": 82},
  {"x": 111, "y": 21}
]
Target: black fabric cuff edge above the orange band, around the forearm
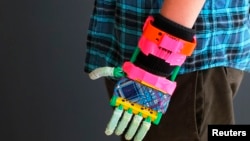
[{"x": 173, "y": 28}]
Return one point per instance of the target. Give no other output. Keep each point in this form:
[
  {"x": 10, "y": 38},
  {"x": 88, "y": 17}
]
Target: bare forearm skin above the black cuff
[{"x": 183, "y": 12}]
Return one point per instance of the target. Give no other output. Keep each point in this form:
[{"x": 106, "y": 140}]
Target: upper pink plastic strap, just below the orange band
[{"x": 148, "y": 47}]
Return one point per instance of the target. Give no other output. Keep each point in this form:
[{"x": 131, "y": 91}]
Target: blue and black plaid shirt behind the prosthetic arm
[{"x": 222, "y": 31}]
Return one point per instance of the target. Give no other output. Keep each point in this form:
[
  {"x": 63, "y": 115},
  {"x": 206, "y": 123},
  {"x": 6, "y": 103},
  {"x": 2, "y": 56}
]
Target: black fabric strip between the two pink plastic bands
[{"x": 154, "y": 65}]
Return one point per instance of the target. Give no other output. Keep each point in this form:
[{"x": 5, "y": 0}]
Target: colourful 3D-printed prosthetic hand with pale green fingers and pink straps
[{"x": 146, "y": 82}]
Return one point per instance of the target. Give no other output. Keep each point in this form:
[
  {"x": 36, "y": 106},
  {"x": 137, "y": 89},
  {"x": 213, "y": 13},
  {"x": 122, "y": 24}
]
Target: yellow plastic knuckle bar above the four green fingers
[{"x": 136, "y": 108}]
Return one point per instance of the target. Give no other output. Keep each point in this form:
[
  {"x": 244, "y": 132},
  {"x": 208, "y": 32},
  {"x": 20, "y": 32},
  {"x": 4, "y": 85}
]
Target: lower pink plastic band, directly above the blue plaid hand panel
[{"x": 160, "y": 83}]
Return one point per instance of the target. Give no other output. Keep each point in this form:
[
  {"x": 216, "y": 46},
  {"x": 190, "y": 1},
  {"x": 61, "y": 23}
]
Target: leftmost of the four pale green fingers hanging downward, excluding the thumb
[{"x": 114, "y": 120}]
